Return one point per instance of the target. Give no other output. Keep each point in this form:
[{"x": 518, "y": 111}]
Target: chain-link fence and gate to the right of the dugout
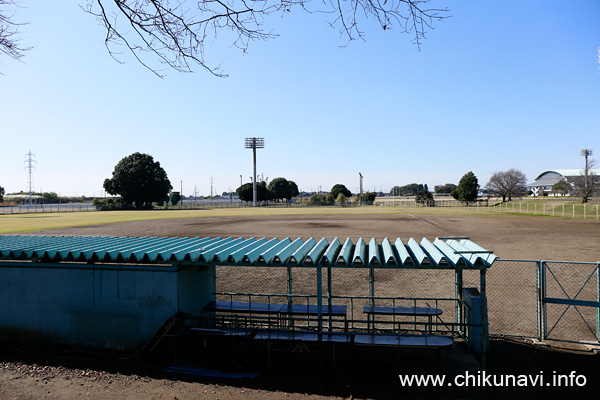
[{"x": 545, "y": 300}]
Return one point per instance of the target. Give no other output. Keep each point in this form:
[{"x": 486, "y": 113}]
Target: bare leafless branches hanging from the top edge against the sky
[{"x": 176, "y": 33}]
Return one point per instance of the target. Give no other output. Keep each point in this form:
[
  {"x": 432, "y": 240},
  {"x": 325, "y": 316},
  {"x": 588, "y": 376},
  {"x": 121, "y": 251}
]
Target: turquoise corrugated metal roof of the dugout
[{"x": 448, "y": 253}]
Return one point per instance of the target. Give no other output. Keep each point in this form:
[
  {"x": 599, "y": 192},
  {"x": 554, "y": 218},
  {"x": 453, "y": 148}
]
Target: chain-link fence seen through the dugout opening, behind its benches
[{"x": 355, "y": 288}]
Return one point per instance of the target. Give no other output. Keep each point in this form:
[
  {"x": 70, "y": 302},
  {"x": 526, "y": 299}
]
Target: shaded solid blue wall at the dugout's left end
[{"x": 104, "y": 306}]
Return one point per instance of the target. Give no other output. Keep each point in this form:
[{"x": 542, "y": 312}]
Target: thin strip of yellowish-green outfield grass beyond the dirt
[{"x": 15, "y": 223}]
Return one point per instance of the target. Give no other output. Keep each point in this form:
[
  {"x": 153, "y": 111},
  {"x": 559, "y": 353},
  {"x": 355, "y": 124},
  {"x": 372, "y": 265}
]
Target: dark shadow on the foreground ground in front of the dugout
[{"x": 357, "y": 373}]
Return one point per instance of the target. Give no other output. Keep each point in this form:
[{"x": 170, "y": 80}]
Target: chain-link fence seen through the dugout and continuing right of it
[{"x": 526, "y": 298}]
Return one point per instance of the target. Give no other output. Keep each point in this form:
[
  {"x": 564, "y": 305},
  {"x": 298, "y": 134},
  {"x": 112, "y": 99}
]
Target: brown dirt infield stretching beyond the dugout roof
[{"x": 510, "y": 237}]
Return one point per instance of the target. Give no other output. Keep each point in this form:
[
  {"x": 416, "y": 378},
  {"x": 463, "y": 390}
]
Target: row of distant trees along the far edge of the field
[{"x": 140, "y": 181}]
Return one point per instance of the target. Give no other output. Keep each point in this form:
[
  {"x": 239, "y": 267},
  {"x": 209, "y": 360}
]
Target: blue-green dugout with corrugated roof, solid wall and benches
[{"x": 117, "y": 292}]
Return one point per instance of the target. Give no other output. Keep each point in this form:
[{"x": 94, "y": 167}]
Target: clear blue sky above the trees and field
[{"x": 499, "y": 85}]
